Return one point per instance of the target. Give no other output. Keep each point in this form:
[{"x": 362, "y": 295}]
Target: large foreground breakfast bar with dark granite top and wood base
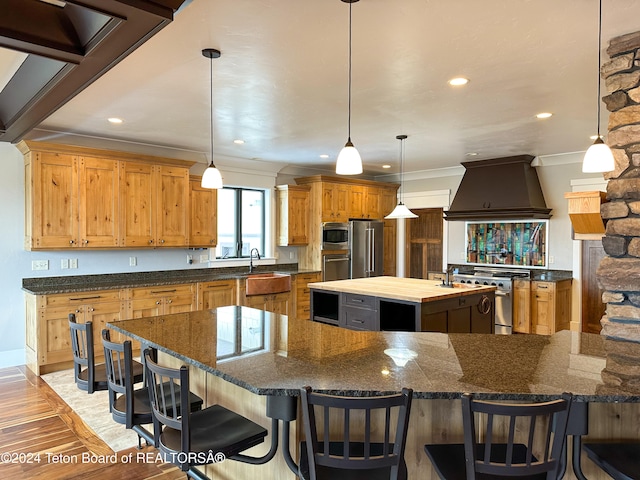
[{"x": 240, "y": 356}]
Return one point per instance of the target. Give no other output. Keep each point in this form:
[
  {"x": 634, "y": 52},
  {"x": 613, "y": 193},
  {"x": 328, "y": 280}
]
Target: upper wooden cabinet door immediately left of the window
[{"x": 203, "y": 226}]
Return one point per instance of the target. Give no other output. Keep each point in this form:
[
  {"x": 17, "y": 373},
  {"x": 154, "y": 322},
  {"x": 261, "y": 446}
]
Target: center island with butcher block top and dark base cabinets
[{"x": 404, "y": 304}]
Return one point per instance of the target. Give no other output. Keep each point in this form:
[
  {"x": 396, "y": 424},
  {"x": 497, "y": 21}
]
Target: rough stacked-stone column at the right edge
[{"x": 619, "y": 272}]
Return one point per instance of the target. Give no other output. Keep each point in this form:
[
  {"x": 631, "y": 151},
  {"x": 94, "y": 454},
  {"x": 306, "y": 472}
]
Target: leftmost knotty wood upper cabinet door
[{"x": 55, "y": 200}]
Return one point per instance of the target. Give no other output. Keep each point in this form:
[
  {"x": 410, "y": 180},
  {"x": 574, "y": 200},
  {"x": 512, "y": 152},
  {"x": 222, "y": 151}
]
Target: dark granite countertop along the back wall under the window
[{"x": 84, "y": 283}]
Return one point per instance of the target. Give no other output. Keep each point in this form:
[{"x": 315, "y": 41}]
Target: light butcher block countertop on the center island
[{"x": 407, "y": 289}]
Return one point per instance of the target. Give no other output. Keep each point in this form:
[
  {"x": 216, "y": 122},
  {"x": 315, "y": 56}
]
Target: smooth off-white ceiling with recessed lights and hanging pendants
[{"x": 281, "y": 82}]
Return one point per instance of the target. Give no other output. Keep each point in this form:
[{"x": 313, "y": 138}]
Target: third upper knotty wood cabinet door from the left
[{"x": 137, "y": 208}]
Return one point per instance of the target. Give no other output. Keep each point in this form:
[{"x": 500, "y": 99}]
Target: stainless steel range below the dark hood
[{"x": 501, "y": 278}]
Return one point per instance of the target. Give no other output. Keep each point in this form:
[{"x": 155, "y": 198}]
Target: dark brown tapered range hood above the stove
[{"x": 499, "y": 189}]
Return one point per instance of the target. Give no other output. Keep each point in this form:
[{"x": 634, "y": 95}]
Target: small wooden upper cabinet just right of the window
[{"x": 293, "y": 215}]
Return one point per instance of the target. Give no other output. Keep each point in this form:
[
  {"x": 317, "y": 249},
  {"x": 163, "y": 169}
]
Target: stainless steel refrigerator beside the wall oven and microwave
[{"x": 365, "y": 248}]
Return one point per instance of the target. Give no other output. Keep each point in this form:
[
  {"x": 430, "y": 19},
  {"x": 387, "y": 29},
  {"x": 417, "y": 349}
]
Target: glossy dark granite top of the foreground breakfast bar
[{"x": 278, "y": 359}]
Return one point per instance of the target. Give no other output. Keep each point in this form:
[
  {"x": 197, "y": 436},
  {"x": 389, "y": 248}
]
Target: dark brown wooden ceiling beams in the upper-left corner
[{"x": 68, "y": 46}]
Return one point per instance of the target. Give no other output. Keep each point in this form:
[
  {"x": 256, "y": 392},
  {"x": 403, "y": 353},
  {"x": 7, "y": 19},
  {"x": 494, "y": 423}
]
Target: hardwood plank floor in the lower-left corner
[{"x": 42, "y": 438}]
